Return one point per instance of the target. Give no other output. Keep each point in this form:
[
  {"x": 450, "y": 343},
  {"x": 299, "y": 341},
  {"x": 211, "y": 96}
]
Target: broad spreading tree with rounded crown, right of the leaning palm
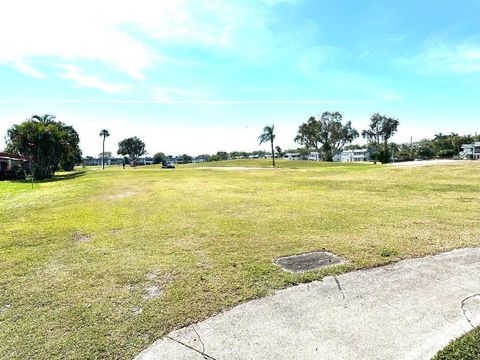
[{"x": 326, "y": 134}]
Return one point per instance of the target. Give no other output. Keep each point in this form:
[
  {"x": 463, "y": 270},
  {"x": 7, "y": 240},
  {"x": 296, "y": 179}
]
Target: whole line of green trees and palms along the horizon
[{"x": 51, "y": 145}]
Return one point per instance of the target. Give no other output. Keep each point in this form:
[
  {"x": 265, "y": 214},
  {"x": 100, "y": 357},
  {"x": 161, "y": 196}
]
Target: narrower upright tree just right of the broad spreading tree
[{"x": 380, "y": 130}]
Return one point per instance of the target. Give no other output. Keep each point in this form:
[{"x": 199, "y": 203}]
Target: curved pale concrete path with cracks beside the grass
[{"x": 407, "y": 310}]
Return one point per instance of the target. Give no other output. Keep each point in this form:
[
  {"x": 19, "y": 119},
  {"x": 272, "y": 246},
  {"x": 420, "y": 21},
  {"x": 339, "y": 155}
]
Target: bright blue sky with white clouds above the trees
[{"x": 200, "y": 76}]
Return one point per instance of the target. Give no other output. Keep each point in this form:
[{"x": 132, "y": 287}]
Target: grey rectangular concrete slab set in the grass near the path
[{"x": 306, "y": 262}]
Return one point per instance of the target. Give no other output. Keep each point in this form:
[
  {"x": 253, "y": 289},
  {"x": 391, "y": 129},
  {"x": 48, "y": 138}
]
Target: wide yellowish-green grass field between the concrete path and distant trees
[{"x": 82, "y": 257}]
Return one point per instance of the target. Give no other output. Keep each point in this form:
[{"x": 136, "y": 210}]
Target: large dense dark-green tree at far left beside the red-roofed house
[{"x": 47, "y": 143}]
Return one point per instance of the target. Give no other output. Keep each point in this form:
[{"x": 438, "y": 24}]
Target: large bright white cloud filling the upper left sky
[{"x": 95, "y": 30}]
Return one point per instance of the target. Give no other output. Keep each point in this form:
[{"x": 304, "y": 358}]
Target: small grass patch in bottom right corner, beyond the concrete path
[{"x": 465, "y": 348}]
